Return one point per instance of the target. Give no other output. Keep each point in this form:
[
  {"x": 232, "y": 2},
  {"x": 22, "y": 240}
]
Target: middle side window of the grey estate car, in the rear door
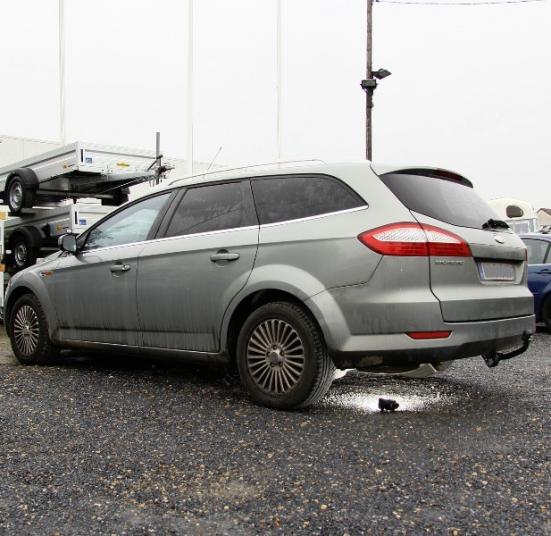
[{"x": 213, "y": 208}]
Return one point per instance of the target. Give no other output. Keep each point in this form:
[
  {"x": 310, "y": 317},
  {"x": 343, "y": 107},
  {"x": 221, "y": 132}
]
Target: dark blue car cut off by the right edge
[{"x": 539, "y": 274}]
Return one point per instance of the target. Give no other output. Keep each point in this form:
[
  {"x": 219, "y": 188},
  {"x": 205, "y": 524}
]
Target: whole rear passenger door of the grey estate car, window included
[{"x": 203, "y": 258}]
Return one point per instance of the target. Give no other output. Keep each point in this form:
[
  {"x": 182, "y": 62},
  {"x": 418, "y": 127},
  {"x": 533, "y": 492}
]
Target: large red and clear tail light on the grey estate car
[{"x": 415, "y": 239}]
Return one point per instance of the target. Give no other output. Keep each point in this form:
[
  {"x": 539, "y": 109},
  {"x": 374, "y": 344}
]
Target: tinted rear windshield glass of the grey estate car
[{"x": 445, "y": 199}]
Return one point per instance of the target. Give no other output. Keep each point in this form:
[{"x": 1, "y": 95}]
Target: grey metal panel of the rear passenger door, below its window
[{"x": 183, "y": 295}]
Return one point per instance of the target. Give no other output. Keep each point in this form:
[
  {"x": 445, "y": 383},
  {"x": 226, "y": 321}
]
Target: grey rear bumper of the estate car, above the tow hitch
[{"x": 467, "y": 339}]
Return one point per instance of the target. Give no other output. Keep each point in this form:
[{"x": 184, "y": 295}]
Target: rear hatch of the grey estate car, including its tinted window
[{"x": 487, "y": 279}]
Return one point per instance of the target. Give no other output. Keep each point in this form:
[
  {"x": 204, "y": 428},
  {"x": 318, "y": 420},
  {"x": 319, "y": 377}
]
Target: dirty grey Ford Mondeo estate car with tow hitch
[{"x": 286, "y": 273}]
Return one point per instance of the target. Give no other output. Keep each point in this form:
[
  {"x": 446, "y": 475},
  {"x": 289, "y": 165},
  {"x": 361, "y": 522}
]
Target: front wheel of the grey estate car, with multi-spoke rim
[{"x": 27, "y": 328}]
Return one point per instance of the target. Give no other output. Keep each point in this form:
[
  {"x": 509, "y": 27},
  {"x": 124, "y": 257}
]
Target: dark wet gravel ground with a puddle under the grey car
[{"x": 121, "y": 446}]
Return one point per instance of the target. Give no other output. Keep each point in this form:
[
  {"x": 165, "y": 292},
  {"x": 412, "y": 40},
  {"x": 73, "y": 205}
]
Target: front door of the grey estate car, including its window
[{"x": 95, "y": 290}]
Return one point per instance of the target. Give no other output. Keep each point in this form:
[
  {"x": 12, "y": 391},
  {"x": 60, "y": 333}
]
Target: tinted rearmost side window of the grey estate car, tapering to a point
[{"x": 285, "y": 198}]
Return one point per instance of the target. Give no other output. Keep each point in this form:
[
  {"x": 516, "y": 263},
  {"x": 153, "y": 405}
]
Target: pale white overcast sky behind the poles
[{"x": 470, "y": 89}]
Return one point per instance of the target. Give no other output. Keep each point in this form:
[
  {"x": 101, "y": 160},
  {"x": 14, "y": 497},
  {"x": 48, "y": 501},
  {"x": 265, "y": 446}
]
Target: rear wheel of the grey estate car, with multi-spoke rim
[{"x": 282, "y": 358}]
